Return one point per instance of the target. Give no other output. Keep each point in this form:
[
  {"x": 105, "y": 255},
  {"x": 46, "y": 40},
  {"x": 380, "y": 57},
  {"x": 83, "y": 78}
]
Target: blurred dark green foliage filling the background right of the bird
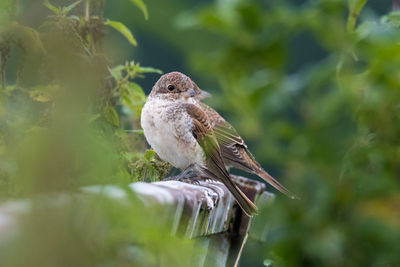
[{"x": 328, "y": 125}]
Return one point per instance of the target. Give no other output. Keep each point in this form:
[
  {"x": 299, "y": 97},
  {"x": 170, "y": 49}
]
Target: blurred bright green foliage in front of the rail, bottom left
[{"x": 94, "y": 230}]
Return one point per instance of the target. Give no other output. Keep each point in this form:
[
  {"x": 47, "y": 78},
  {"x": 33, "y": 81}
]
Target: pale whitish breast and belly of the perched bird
[{"x": 168, "y": 129}]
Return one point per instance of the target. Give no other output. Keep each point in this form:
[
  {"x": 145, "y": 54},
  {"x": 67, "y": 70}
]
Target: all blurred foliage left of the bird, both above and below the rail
[{"x": 70, "y": 120}]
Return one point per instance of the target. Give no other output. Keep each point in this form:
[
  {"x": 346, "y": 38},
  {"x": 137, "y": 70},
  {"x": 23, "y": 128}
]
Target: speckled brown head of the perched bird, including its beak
[{"x": 177, "y": 85}]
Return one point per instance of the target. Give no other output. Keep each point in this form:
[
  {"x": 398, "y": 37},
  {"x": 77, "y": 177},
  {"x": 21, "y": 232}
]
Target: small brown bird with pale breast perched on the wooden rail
[{"x": 180, "y": 130}]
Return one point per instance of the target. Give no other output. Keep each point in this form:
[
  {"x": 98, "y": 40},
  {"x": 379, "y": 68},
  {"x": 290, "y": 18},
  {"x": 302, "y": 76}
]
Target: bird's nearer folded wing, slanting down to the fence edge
[{"x": 203, "y": 133}]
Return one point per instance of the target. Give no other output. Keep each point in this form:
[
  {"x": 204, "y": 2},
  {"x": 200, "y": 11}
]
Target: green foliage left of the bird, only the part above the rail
[{"x": 80, "y": 93}]
